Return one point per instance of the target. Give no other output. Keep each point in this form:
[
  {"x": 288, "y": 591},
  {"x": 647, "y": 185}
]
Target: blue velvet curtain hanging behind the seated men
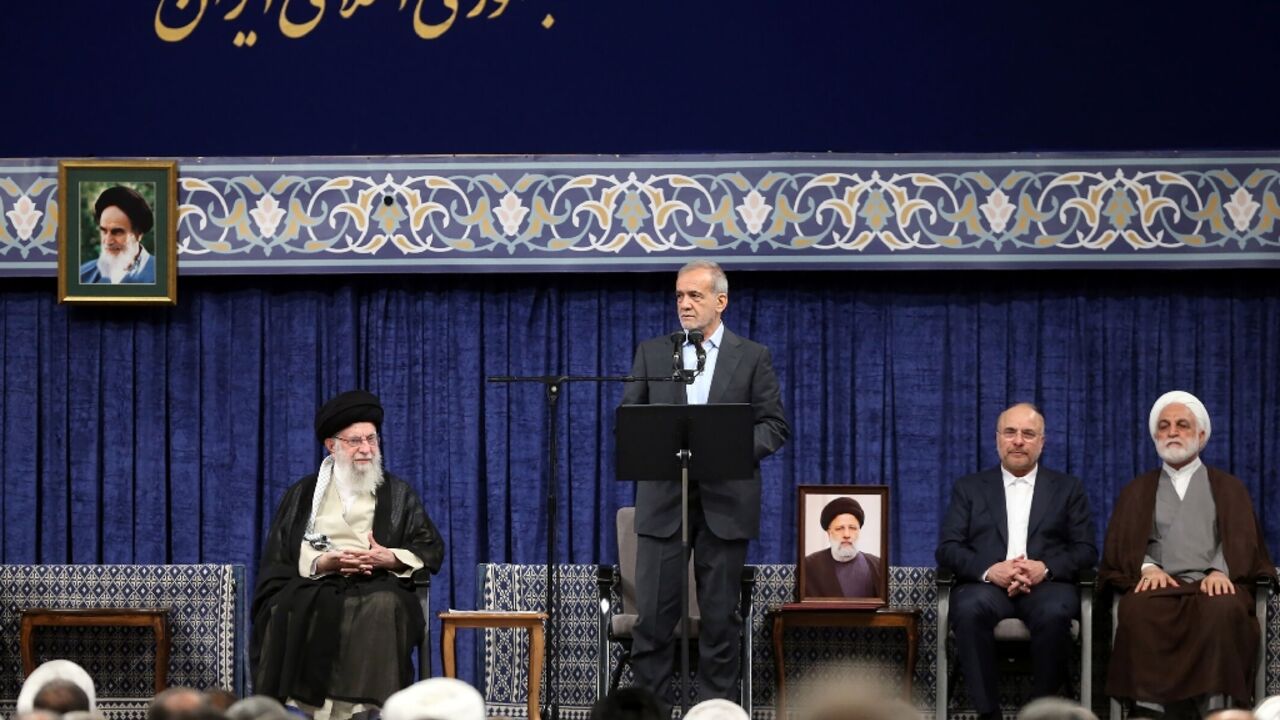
[{"x": 168, "y": 435}]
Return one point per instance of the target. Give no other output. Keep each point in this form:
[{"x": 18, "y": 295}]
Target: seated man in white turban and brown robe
[{"x": 1182, "y": 541}]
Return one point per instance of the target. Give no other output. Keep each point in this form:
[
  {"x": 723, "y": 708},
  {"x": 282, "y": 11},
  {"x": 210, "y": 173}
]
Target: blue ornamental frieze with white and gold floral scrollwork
[{"x": 556, "y": 215}]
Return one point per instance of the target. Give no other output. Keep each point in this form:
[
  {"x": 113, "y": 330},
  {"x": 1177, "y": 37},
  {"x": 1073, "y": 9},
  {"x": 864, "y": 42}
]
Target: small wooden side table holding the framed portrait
[{"x": 833, "y": 616}]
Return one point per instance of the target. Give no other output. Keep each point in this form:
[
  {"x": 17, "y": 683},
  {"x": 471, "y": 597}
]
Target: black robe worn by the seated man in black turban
[{"x": 295, "y": 641}]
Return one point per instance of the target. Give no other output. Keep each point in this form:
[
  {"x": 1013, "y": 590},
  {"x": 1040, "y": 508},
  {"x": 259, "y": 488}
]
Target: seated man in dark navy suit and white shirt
[{"x": 1016, "y": 537}]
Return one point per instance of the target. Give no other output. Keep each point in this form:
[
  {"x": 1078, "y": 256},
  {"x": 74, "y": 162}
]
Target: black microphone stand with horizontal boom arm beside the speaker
[{"x": 554, "y": 386}]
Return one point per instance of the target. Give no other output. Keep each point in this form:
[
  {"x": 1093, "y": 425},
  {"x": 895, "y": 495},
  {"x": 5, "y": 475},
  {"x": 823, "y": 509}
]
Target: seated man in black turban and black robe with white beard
[{"x": 335, "y": 613}]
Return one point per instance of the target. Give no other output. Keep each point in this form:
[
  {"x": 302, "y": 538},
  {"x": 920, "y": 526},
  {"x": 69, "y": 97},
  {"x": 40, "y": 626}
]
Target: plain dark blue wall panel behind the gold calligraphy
[{"x": 94, "y": 79}]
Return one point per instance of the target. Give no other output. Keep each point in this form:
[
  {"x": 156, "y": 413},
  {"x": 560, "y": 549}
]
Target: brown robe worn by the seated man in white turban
[{"x": 1180, "y": 644}]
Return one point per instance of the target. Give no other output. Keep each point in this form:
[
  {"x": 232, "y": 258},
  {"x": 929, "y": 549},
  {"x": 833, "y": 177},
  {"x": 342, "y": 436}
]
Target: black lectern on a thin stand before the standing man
[{"x": 700, "y": 443}]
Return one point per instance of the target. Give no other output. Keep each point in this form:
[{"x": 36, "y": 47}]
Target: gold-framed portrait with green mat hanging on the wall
[{"x": 118, "y": 233}]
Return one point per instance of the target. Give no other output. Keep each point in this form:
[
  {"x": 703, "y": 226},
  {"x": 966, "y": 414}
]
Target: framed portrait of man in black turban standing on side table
[{"x": 844, "y": 546}]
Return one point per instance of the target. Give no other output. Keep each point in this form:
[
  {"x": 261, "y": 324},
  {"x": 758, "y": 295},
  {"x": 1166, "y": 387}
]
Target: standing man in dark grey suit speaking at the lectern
[{"x": 723, "y": 516}]
